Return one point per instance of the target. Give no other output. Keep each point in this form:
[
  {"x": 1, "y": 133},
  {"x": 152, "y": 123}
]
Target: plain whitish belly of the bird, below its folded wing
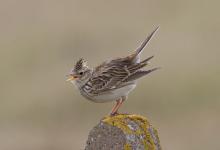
[{"x": 113, "y": 95}]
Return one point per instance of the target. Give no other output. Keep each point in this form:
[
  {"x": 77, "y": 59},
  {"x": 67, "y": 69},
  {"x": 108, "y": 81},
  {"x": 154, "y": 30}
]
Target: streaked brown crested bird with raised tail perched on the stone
[{"x": 113, "y": 79}]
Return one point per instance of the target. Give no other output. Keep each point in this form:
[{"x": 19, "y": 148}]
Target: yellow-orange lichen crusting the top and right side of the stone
[{"x": 141, "y": 129}]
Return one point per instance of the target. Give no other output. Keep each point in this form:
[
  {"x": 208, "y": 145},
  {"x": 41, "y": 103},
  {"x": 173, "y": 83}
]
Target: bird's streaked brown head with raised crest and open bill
[{"x": 80, "y": 71}]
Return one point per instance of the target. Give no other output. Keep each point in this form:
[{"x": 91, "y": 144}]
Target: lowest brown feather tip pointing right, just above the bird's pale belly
[{"x": 139, "y": 74}]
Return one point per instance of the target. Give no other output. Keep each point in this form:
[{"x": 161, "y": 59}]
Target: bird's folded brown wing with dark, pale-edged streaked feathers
[{"x": 113, "y": 74}]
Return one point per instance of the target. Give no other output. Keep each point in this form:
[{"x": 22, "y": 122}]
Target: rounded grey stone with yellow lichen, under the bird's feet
[{"x": 123, "y": 132}]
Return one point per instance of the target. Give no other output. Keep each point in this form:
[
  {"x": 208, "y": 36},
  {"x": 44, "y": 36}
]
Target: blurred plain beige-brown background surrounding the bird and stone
[{"x": 40, "y": 40}]
